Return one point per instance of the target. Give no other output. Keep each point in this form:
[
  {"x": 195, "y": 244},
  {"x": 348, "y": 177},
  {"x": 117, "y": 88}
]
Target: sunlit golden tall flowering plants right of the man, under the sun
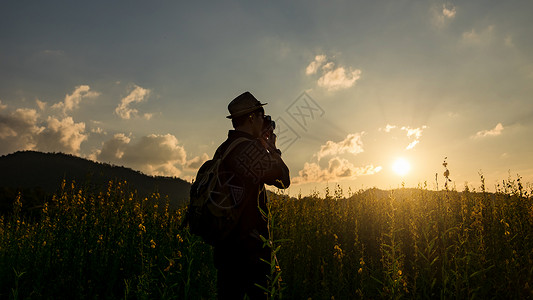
[{"x": 408, "y": 243}]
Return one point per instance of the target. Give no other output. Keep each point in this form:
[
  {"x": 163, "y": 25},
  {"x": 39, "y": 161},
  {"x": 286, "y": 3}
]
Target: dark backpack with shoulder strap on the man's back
[{"x": 212, "y": 213}]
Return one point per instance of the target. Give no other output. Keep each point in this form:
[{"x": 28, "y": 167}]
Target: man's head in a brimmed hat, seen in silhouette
[{"x": 247, "y": 114}]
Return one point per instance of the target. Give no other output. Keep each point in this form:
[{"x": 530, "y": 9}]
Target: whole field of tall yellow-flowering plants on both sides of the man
[{"x": 371, "y": 244}]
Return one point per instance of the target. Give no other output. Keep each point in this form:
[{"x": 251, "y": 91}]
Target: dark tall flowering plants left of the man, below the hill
[{"x": 105, "y": 245}]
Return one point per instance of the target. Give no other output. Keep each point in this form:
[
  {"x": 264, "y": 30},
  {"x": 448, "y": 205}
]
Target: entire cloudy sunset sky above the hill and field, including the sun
[{"x": 364, "y": 93}]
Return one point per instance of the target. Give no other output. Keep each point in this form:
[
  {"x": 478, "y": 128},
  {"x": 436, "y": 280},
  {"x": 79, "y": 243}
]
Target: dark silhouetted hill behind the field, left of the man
[{"x": 38, "y": 175}]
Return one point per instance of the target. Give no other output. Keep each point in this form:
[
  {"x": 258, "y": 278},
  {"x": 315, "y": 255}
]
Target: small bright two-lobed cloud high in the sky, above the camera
[{"x": 332, "y": 78}]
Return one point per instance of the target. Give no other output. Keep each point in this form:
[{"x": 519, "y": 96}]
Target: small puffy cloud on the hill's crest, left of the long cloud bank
[{"x": 62, "y": 136}]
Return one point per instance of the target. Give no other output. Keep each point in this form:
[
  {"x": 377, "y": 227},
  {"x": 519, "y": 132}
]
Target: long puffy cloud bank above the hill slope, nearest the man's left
[{"x": 153, "y": 154}]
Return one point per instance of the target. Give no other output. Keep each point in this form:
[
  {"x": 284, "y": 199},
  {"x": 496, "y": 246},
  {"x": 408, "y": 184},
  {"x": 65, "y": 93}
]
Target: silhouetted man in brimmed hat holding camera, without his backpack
[{"x": 254, "y": 162}]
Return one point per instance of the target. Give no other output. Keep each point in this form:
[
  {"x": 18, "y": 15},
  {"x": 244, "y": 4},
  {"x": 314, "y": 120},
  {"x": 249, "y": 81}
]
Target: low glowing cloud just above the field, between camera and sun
[{"x": 337, "y": 169}]
